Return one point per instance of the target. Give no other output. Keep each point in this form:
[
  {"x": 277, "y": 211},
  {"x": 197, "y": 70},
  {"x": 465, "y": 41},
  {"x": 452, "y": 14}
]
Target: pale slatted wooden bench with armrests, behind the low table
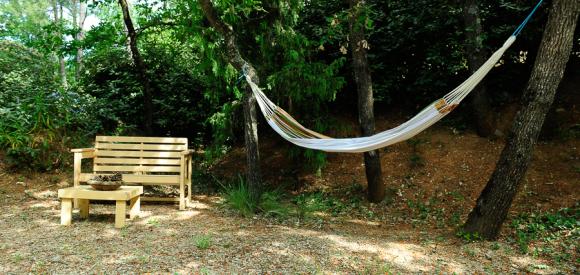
[{"x": 142, "y": 161}]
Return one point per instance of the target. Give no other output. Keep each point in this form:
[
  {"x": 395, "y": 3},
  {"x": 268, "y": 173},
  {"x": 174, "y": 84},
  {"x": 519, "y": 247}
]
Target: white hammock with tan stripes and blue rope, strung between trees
[{"x": 294, "y": 132}]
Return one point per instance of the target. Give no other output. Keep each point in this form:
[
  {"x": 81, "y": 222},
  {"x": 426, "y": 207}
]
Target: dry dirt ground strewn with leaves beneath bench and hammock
[{"x": 442, "y": 171}]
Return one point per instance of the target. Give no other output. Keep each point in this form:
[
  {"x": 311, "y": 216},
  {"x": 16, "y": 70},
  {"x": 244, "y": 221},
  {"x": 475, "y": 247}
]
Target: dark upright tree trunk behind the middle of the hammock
[{"x": 362, "y": 76}]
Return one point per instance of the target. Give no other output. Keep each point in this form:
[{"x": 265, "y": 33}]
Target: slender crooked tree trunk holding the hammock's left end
[{"x": 253, "y": 172}]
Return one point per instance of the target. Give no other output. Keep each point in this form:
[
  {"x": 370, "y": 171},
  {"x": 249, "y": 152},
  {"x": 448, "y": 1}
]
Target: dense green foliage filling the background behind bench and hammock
[{"x": 300, "y": 49}]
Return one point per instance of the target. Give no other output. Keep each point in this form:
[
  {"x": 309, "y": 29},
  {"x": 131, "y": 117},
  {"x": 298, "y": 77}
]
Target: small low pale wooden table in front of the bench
[{"x": 85, "y": 193}]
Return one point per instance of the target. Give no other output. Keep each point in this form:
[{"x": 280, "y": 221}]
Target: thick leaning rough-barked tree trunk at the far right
[{"x": 495, "y": 200}]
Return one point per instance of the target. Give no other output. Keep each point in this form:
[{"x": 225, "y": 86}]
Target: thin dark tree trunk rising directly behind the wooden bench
[{"x": 141, "y": 68}]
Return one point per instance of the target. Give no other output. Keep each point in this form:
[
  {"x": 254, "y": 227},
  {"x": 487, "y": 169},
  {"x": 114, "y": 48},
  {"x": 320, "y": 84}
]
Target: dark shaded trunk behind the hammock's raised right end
[{"x": 482, "y": 112}]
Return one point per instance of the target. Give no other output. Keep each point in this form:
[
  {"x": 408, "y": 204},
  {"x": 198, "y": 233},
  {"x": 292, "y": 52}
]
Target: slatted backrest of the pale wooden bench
[{"x": 150, "y": 155}]
